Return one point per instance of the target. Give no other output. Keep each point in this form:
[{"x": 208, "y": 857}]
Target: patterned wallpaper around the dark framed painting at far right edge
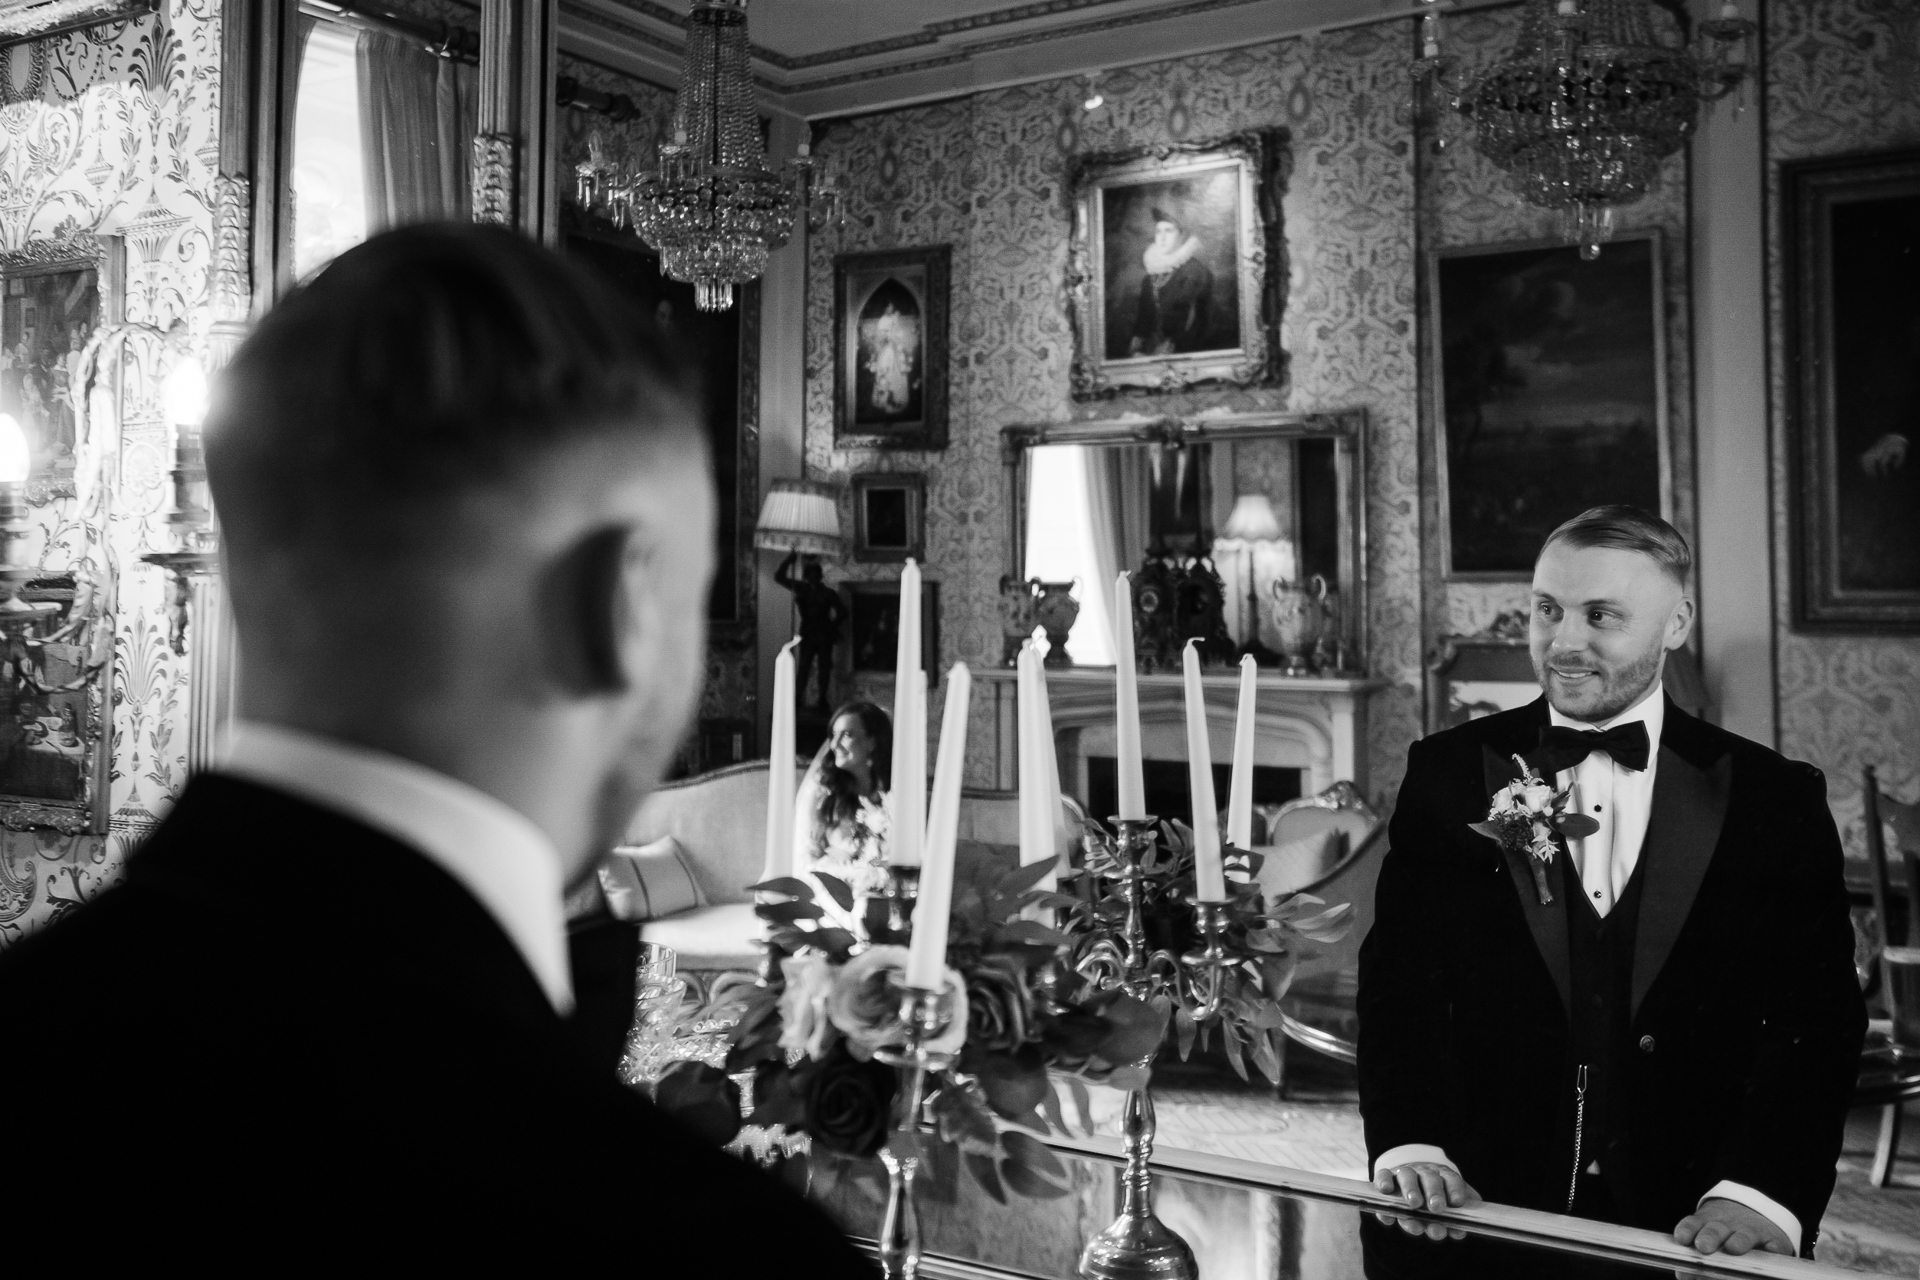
[{"x": 1842, "y": 78}]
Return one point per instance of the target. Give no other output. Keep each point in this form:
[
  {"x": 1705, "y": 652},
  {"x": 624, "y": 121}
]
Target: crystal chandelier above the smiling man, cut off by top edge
[{"x": 1587, "y": 105}]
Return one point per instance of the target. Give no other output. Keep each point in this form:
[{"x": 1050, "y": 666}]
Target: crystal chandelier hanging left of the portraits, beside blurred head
[{"x": 711, "y": 210}]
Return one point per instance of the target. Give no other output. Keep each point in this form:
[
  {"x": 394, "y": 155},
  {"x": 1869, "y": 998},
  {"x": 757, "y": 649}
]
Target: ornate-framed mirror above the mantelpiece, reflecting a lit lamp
[{"x": 1243, "y": 531}]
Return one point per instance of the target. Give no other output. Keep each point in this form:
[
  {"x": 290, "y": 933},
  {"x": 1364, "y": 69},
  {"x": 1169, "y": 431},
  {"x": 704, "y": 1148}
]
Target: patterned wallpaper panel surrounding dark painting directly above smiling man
[{"x": 1468, "y": 202}]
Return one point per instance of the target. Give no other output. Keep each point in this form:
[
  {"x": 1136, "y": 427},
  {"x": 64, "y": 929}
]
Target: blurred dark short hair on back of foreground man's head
[{"x": 416, "y": 369}]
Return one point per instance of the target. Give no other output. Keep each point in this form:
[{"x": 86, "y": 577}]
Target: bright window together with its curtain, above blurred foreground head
[{"x": 383, "y": 133}]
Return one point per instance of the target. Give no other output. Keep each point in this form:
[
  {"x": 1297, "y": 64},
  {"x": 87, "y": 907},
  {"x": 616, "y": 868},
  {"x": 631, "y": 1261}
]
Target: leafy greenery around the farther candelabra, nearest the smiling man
[{"x": 1262, "y": 943}]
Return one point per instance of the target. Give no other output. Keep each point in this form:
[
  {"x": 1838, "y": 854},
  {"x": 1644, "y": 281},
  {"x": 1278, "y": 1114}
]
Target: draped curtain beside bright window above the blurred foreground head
[{"x": 418, "y": 126}]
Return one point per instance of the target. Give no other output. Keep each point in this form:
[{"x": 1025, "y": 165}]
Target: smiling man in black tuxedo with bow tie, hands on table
[{"x": 1664, "y": 1028}]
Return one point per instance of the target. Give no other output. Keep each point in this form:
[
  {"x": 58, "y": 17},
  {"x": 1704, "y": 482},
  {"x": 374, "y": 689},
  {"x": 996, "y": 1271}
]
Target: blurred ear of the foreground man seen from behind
[{"x": 590, "y": 613}]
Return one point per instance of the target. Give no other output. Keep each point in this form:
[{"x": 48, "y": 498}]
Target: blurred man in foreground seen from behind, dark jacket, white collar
[{"x": 324, "y": 1022}]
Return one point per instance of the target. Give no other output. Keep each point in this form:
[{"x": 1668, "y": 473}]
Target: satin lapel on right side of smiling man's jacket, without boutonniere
[{"x": 1683, "y": 832}]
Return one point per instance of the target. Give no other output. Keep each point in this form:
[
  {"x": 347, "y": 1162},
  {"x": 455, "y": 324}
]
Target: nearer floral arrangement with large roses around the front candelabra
[{"x": 1019, "y": 1020}]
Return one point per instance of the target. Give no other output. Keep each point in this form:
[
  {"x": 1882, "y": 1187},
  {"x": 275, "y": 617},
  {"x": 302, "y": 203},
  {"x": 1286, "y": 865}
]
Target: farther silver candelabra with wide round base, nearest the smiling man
[{"x": 1138, "y": 1244}]
